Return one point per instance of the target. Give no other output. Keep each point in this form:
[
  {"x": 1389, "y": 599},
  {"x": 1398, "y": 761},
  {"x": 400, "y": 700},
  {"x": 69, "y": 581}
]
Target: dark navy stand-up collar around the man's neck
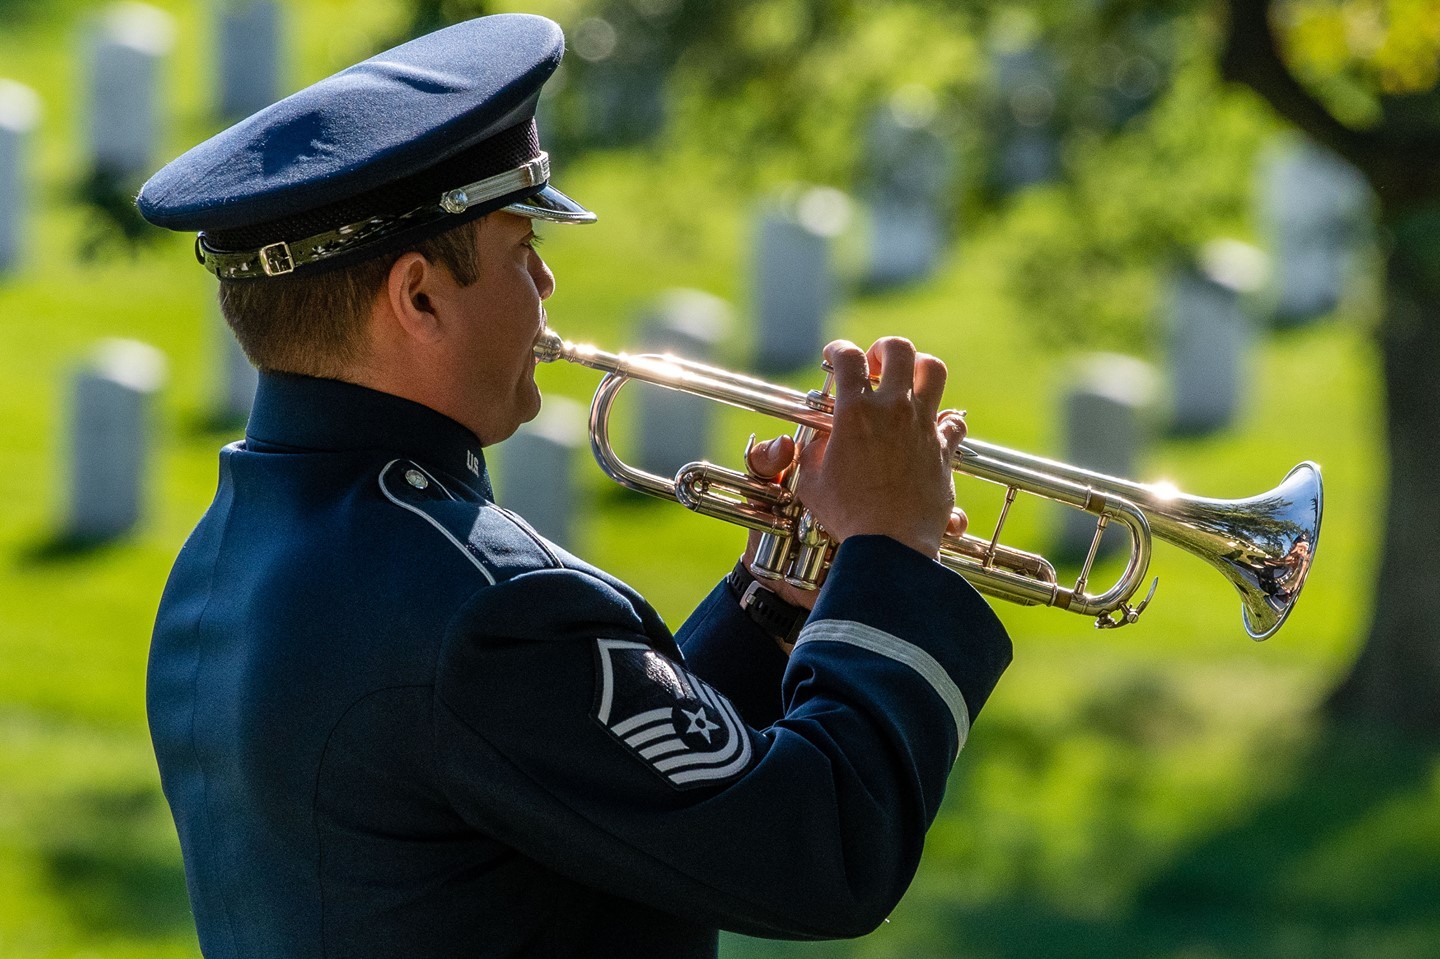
[{"x": 305, "y": 413}]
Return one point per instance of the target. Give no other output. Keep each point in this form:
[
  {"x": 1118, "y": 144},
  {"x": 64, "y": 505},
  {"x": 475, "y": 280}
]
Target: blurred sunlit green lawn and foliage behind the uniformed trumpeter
[{"x": 1169, "y": 790}]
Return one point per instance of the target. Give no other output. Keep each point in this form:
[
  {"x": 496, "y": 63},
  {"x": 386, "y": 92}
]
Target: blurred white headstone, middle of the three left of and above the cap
[{"x": 127, "y": 48}]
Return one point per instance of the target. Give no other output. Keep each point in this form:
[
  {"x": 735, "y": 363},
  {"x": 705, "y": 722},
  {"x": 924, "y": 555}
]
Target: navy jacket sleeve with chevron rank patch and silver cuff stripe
[{"x": 567, "y": 735}]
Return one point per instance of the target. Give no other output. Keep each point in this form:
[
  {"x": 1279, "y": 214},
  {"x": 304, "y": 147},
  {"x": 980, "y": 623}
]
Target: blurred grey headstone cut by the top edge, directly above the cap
[{"x": 248, "y": 47}]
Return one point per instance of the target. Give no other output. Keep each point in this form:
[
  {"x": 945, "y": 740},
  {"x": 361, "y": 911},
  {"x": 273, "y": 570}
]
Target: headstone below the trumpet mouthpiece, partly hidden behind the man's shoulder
[{"x": 538, "y": 470}]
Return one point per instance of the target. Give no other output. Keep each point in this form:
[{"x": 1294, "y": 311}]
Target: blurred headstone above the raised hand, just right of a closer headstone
[{"x": 908, "y": 191}]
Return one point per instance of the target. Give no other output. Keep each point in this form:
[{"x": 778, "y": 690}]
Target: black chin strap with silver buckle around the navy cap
[{"x": 284, "y": 257}]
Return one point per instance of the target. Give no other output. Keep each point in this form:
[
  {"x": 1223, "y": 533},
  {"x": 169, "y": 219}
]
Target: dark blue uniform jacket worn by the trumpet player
[{"x": 391, "y": 721}]
